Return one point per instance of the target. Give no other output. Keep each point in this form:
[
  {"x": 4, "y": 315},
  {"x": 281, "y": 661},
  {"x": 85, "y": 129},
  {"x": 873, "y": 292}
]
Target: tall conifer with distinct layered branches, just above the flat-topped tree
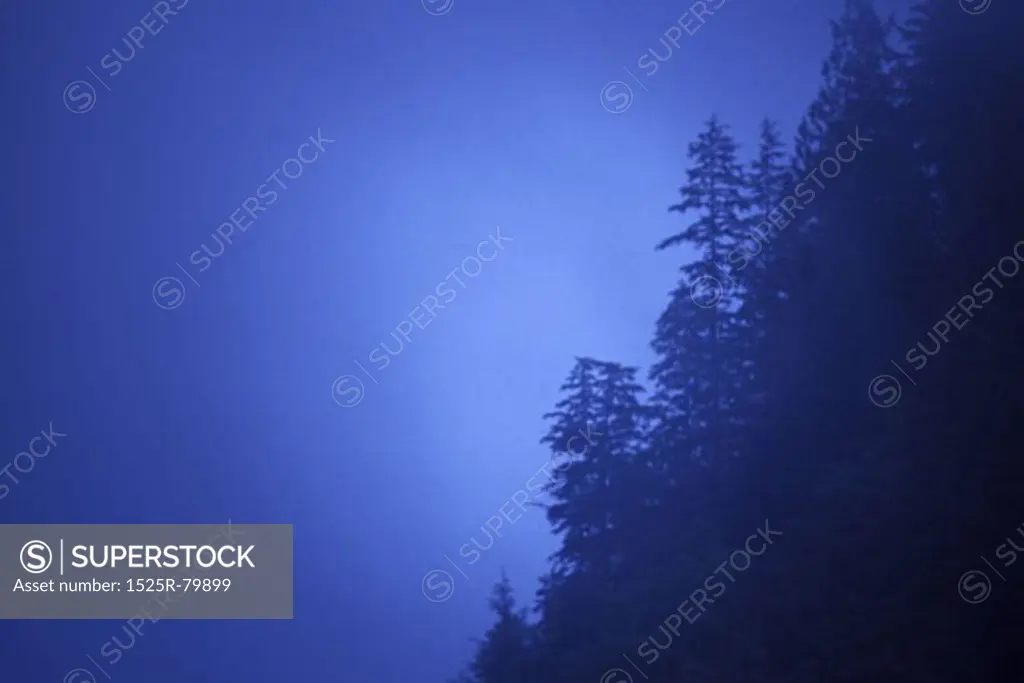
[{"x": 696, "y": 339}]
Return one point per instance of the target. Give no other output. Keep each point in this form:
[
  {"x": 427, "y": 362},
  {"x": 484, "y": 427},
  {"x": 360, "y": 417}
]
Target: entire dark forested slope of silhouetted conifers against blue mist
[{"x": 884, "y": 237}]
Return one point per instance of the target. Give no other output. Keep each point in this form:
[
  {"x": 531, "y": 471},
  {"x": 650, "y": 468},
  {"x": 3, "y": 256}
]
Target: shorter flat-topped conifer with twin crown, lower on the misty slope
[{"x": 599, "y": 506}]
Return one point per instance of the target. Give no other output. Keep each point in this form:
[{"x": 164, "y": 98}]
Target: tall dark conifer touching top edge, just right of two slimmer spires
[{"x": 849, "y": 219}]
